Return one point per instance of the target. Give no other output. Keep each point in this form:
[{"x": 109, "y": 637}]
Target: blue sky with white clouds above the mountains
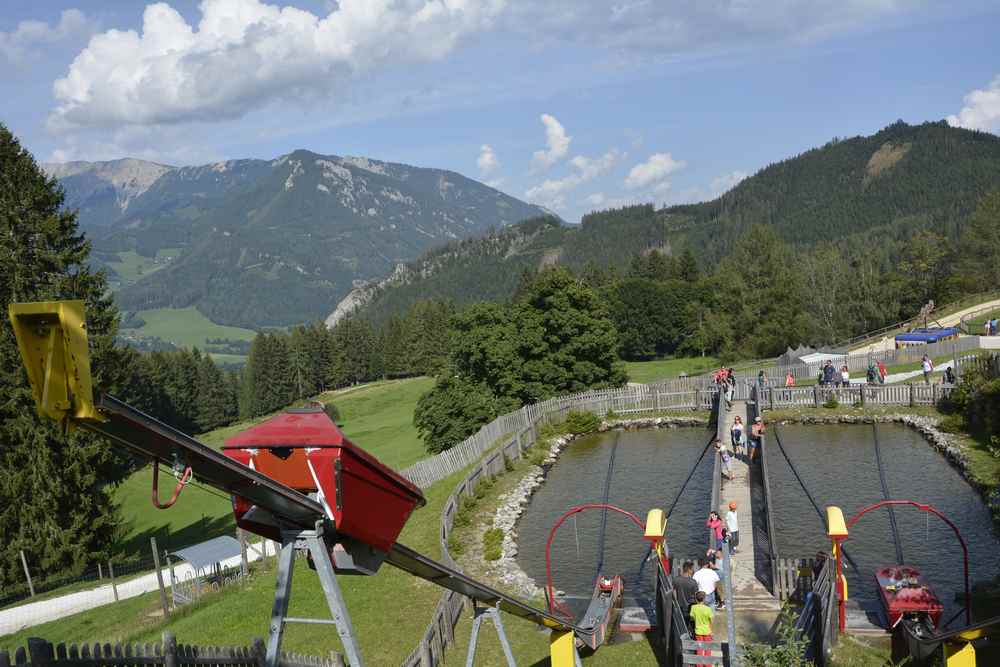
[{"x": 573, "y": 104}]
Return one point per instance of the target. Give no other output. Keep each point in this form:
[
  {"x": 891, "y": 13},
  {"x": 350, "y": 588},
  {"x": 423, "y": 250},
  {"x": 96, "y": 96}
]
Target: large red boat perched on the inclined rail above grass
[{"x": 302, "y": 448}]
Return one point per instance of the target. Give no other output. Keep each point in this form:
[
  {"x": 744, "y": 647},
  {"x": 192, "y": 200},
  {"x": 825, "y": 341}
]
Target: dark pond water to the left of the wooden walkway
[{"x": 650, "y": 468}]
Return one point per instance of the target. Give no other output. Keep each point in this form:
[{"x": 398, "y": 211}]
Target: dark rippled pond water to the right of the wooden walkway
[{"x": 837, "y": 464}]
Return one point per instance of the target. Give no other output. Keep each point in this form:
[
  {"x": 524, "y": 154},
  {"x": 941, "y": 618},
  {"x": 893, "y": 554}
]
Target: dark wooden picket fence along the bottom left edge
[{"x": 167, "y": 653}]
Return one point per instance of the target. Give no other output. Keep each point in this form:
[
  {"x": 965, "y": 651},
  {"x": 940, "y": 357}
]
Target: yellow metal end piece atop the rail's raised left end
[{"x": 52, "y": 339}]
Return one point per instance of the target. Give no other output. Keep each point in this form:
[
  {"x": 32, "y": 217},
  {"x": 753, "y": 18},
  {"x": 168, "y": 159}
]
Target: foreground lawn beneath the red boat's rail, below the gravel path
[{"x": 390, "y": 611}]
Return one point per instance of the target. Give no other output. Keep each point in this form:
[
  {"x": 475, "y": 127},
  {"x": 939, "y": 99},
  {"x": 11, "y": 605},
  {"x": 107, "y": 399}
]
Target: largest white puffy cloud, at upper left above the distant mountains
[{"x": 245, "y": 54}]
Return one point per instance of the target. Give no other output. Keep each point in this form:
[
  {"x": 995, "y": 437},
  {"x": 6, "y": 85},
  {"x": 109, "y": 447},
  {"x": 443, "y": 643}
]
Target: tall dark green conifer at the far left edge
[{"x": 56, "y": 499}]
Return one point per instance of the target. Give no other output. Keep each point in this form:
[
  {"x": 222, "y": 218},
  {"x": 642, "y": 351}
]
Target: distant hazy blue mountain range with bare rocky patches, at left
[{"x": 269, "y": 242}]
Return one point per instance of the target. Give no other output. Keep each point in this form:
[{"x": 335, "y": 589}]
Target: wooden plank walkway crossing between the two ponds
[{"x": 749, "y": 593}]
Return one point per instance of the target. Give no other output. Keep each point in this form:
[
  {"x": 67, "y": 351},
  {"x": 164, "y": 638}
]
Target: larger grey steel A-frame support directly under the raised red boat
[{"x": 312, "y": 542}]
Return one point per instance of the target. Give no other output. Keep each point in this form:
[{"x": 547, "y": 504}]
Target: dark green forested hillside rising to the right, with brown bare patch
[{"x": 855, "y": 202}]
